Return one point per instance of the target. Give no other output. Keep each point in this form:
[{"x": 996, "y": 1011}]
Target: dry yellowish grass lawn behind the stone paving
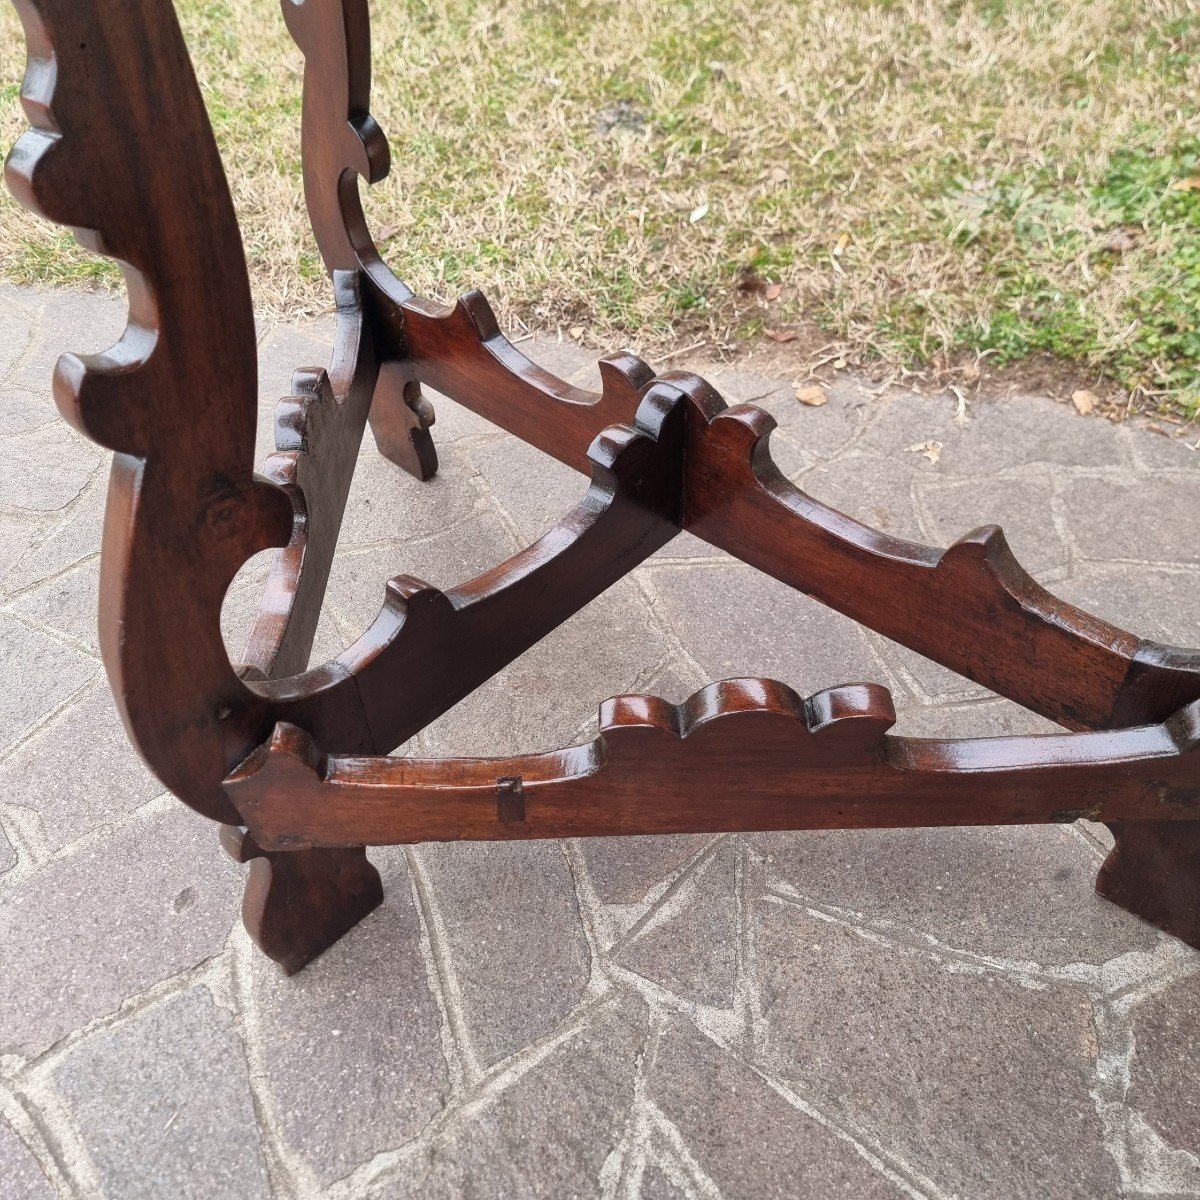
[{"x": 929, "y": 182}]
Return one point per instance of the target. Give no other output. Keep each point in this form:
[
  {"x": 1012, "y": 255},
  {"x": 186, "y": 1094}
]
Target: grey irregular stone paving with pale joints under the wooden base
[{"x": 896, "y": 1015}]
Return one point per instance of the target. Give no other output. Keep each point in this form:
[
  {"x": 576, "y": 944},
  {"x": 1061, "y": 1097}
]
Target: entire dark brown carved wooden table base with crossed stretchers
[{"x": 292, "y": 761}]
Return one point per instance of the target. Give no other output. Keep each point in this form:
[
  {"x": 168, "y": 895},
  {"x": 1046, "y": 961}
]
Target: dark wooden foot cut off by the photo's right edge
[{"x": 1154, "y": 872}]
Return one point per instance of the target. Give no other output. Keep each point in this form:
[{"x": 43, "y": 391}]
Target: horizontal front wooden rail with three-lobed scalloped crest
[{"x": 739, "y": 755}]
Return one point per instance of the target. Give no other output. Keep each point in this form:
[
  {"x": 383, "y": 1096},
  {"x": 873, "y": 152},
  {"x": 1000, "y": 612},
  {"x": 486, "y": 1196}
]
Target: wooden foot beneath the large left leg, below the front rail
[{"x": 298, "y": 903}]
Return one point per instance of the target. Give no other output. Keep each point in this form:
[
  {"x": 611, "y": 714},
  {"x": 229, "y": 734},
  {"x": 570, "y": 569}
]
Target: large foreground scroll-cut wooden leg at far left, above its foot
[{"x": 184, "y": 511}]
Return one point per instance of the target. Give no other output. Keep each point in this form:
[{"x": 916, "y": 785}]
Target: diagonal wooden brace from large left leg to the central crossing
[{"x": 453, "y": 641}]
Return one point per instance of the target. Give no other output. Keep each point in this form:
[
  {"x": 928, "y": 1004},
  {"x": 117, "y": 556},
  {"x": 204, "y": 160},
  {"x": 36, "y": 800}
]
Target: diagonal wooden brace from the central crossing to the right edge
[{"x": 971, "y": 608}]
